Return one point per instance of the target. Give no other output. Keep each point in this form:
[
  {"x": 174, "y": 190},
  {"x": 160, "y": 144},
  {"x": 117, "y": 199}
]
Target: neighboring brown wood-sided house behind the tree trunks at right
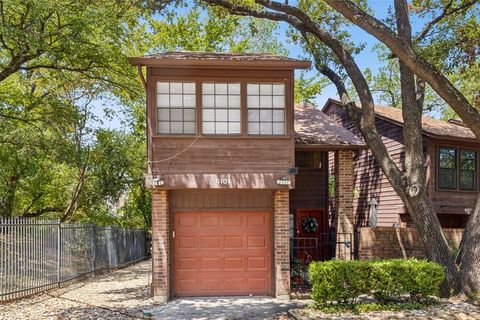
[{"x": 451, "y": 158}]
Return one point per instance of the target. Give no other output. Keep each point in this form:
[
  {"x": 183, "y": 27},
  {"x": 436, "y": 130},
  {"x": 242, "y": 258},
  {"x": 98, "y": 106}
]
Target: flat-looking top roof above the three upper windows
[{"x": 197, "y": 57}]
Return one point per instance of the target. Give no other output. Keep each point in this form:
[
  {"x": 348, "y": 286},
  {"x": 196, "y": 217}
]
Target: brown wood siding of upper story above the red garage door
[{"x": 199, "y": 161}]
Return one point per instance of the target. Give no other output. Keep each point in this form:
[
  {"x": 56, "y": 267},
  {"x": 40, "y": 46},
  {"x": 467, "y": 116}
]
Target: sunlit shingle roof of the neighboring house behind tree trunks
[{"x": 431, "y": 127}]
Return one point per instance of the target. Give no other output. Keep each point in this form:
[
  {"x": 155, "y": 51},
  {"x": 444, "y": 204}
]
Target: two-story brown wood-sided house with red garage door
[{"x": 233, "y": 165}]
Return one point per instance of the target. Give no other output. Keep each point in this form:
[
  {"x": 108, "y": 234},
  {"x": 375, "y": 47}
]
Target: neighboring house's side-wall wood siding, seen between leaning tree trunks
[{"x": 368, "y": 178}]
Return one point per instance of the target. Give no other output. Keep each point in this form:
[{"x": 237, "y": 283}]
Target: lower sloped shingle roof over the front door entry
[{"x": 313, "y": 127}]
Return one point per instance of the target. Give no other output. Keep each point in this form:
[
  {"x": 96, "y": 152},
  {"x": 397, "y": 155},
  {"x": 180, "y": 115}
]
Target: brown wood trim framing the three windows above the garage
[{"x": 152, "y": 102}]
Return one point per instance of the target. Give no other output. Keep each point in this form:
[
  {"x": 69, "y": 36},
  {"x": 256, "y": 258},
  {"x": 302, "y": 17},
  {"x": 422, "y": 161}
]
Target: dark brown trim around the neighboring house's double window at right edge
[{"x": 458, "y": 149}]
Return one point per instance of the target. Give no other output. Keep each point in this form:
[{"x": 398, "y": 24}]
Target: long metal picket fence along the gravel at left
[{"x": 37, "y": 254}]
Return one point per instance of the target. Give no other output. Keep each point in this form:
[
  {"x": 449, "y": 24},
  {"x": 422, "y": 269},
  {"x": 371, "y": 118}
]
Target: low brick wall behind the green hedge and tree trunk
[{"x": 389, "y": 242}]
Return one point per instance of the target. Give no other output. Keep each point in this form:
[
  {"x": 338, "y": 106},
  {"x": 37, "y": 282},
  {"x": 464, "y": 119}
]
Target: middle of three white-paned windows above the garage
[{"x": 221, "y": 108}]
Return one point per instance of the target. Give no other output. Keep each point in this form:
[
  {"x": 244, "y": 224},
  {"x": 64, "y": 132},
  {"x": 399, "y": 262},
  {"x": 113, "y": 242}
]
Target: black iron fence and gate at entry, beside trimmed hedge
[{"x": 325, "y": 246}]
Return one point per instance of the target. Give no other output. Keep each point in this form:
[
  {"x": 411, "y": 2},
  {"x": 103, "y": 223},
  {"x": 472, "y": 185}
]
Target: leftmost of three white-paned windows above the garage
[{"x": 176, "y": 107}]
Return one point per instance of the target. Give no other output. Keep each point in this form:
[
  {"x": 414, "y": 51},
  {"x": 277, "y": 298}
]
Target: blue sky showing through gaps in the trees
[{"x": 365, "y": 59}]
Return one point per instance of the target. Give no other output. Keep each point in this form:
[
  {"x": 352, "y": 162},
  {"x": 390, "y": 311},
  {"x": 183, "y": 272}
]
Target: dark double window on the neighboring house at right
[{"x": 457, "y": 169}]
